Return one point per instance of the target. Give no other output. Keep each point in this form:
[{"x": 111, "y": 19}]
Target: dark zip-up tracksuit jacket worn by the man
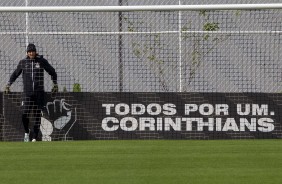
[{"x": 32, "y": 71}]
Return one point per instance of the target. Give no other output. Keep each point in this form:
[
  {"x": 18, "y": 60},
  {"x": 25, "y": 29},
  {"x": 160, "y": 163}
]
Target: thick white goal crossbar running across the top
[{"x": 140, "y": 8}]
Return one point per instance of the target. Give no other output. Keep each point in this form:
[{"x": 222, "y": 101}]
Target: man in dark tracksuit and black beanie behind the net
[{"x": 32, "y": 70}]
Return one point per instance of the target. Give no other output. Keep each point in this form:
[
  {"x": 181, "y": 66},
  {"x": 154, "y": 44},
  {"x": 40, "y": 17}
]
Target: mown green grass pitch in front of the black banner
[{"x": 130, "y": 162}]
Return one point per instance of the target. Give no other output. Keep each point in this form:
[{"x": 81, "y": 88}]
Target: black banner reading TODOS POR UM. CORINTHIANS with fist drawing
[{"x": 89, "y": 116}]
